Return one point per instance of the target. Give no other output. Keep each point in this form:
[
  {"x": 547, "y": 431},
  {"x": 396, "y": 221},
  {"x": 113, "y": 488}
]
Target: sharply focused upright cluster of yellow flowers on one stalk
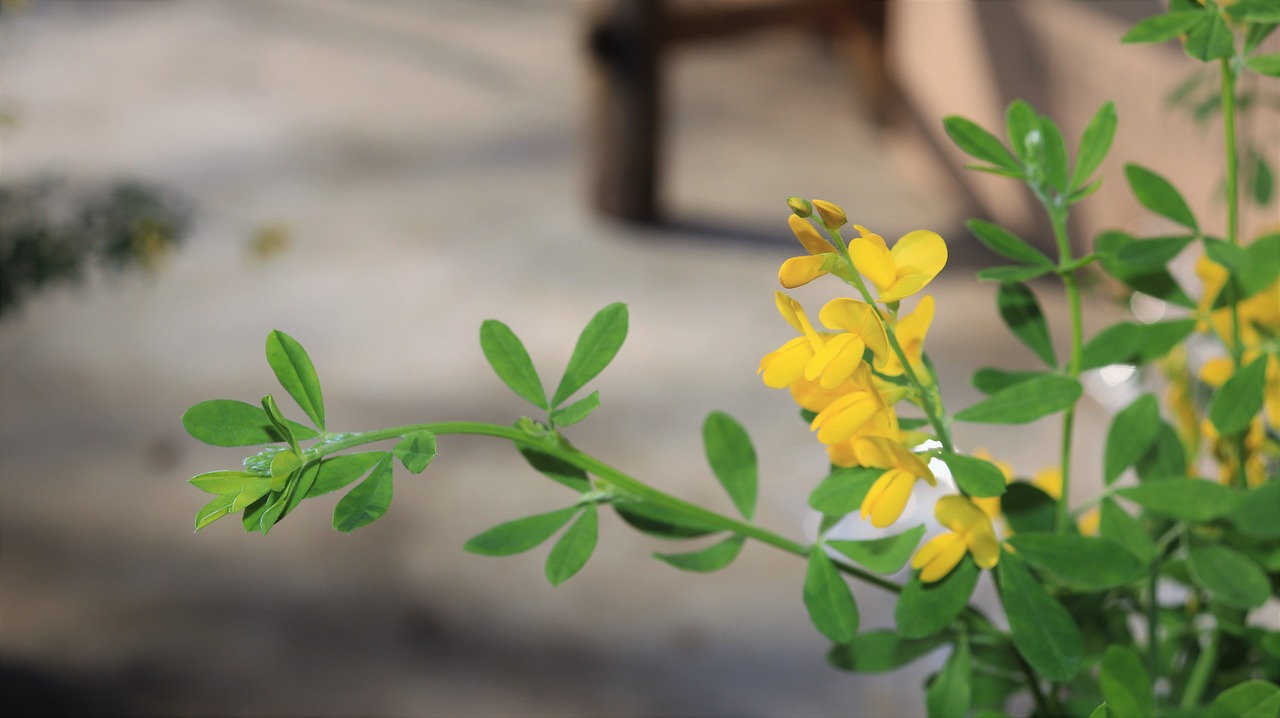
[{"x": 852, "y": 369}]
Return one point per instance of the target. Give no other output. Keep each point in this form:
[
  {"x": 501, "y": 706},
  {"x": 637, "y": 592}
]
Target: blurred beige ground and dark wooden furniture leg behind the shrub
[{"x": 377, "y": 179}]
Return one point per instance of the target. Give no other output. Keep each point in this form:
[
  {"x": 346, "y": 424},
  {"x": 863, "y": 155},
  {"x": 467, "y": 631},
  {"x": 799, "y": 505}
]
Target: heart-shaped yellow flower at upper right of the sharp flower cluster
[{"x": 913, "y": 263}]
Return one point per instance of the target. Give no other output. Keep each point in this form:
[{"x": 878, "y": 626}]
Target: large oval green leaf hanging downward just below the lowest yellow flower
[{"x": 1043, "y": 630}]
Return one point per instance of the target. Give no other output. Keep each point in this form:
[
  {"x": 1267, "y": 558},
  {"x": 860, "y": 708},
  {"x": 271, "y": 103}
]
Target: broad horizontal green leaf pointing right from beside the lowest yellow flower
[{"x": 1085, "y": 564}]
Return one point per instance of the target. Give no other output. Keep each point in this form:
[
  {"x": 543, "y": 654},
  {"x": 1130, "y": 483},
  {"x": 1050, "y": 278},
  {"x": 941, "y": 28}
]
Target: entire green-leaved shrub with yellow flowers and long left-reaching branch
[{"x": 1140, "y": 602}]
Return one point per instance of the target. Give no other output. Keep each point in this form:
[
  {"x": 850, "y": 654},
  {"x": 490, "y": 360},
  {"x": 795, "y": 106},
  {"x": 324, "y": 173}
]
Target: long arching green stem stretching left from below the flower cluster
[{"x": 625, "y": 484}]
